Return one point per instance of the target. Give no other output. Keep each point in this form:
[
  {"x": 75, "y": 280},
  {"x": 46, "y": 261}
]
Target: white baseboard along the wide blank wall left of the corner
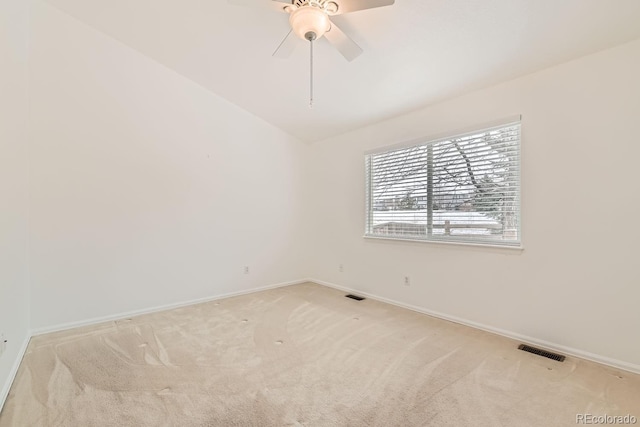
[{"x": 124, "y": 315}]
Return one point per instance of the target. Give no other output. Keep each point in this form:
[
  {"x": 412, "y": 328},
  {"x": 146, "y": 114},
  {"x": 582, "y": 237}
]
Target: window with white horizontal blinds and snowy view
[{"x": 464, "y": 189}]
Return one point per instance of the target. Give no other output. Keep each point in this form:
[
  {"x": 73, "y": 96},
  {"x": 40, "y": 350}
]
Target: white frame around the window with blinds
[{"x": 432, "y": 140}]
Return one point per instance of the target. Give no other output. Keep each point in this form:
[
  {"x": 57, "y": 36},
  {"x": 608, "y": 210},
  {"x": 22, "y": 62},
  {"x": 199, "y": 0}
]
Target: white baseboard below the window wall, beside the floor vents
[{"x": 614, "y": 363}]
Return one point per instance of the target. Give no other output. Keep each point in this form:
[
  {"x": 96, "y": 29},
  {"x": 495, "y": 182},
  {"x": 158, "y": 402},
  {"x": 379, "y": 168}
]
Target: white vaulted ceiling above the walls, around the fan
[{"x": 416, "y": 52}]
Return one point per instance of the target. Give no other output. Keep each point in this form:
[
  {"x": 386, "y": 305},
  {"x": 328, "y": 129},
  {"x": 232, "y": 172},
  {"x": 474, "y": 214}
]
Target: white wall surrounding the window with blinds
[{"x": 576, "y": 282}]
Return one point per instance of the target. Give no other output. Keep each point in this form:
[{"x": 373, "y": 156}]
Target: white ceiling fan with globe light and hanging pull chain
[{"x": 310, "y": 20}]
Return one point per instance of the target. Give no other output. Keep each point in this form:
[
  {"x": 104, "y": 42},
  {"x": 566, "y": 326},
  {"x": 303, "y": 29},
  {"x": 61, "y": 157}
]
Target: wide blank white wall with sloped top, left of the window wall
[{"x": 146, "y": 189}]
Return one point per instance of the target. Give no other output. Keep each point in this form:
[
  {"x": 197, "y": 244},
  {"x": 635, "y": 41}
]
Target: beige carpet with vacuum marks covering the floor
[{"x": 302, "y": 355}]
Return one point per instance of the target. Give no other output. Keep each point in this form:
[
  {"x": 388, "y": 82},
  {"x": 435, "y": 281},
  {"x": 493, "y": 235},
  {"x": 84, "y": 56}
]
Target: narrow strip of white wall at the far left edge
[{"x": 14, "y": 315}]
